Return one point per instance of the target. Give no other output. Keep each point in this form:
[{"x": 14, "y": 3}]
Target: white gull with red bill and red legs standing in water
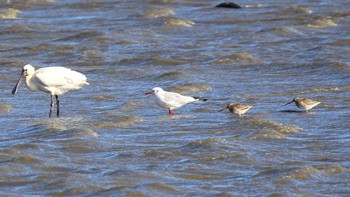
[{"x": 172, "y": 100}]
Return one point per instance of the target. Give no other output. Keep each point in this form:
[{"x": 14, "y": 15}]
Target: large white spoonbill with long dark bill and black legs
[{"x": 52, "y": 80}]
